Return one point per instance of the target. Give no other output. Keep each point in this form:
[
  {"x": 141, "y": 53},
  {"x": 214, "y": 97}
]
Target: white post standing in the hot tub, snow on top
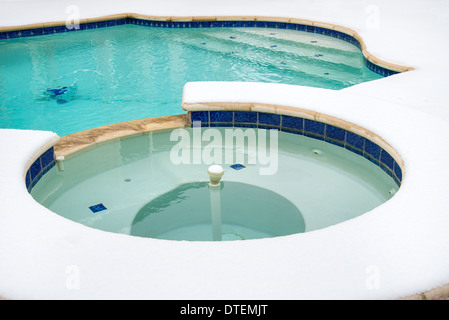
[{"x": 215, "y": 173}]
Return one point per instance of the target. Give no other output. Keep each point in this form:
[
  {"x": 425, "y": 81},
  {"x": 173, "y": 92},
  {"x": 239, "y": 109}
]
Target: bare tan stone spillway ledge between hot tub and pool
[{"x": 71, "y": 144}]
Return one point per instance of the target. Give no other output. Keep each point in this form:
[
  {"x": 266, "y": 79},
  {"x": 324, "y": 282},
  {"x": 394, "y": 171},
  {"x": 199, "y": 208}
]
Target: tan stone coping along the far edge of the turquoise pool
[{"x": 330, "y": 26}]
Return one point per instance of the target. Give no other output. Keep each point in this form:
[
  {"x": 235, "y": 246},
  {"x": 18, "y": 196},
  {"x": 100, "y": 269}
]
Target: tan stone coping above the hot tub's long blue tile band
[{"x": 299, "y": 113}]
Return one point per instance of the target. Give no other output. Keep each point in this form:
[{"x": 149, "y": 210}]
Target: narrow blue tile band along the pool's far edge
[{"x": 200, "y": 24}]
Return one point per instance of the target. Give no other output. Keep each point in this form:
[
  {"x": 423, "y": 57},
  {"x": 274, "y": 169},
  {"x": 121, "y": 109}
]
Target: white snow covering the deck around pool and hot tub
[{"x": 397, "y": 250}]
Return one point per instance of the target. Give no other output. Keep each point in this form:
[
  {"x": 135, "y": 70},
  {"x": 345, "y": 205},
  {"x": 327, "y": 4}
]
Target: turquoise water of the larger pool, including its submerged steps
[{"x": 75, "y": 81}]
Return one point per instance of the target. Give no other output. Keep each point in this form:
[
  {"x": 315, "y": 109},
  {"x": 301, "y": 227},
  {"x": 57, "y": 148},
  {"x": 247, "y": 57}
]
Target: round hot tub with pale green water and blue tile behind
[{"x": 276, "y": 182}]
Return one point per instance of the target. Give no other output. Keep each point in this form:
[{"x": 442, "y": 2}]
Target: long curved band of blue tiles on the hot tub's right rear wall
[{"x": 310, "y": 128}]
